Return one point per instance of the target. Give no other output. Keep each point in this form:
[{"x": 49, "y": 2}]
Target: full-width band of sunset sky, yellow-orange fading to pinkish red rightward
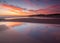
[{"x": 8, "y": 10}]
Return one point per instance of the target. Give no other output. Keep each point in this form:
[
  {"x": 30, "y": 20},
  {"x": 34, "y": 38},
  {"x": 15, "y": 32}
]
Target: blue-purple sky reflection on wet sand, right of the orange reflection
[{"x": 45, "y": 33}]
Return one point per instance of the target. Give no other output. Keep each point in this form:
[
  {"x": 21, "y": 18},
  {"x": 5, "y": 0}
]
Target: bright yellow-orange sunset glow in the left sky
[{"x": 6, "y": 10}]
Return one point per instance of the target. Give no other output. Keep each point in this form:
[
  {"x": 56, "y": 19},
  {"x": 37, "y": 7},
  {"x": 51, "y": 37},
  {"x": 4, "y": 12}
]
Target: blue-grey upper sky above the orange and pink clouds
[{"x": 31, "y": 4}]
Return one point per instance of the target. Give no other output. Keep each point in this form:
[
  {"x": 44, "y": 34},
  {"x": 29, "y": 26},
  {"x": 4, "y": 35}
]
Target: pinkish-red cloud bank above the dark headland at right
[{"x": 49, "y": 10}]
